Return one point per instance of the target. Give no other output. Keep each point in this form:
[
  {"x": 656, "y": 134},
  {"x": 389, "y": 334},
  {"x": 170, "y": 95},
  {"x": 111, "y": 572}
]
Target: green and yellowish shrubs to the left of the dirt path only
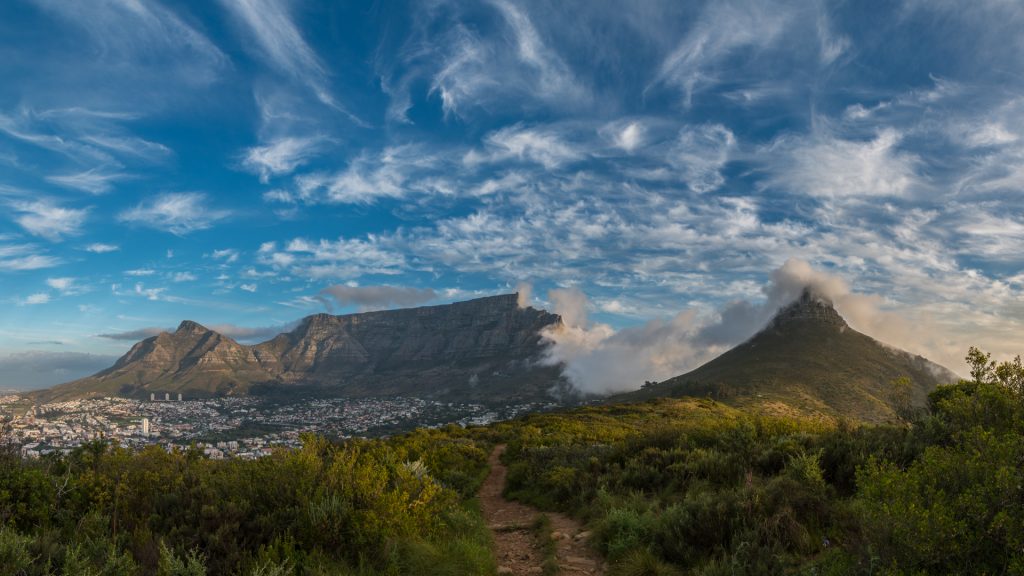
[{"x": 397, "y": 507}]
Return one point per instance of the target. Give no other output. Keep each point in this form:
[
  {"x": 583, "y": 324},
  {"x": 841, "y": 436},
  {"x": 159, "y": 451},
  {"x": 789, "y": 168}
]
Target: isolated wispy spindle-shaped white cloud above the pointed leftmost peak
[{"x": 177, "y": 214}]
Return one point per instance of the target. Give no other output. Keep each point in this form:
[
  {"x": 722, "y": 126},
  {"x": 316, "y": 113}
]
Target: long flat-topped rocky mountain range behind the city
[{"x": 485, "y": 350}]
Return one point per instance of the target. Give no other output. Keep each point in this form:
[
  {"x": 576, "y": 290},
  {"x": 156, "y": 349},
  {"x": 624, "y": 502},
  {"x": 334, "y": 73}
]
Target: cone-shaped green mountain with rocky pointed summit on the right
[{"x": 808, "y": 361}]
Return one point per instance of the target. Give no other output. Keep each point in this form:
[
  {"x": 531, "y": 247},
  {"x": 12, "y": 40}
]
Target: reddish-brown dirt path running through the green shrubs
[{"x": 513, "y": 524}]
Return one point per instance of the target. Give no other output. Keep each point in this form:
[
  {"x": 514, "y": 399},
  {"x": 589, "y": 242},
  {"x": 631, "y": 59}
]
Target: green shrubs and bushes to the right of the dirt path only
[{"x": 695, "y": 487}]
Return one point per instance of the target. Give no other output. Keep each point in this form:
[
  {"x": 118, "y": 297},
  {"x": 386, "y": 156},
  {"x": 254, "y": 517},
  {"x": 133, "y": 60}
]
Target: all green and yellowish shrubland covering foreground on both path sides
[{"x": 676, "y": 486}]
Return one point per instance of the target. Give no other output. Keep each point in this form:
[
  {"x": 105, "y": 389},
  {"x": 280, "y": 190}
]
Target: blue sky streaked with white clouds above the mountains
[{"x": 661, "y": 167}]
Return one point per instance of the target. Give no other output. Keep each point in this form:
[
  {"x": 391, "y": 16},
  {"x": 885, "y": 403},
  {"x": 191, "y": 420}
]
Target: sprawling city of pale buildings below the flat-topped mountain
[{"x": 228, "y": 428}]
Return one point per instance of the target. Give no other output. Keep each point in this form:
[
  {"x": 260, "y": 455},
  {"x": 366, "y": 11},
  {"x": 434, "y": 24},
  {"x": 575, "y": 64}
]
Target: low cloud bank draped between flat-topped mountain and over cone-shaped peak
[{"x": 602, "y": 360}]
